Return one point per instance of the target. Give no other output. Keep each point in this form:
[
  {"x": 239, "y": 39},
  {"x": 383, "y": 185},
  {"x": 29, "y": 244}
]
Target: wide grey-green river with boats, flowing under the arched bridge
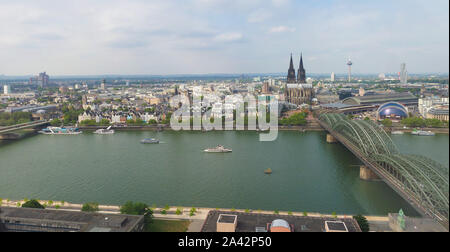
[{"x": 308, "y": 174}]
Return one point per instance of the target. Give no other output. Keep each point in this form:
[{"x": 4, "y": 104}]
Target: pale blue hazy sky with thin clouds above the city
[{"x": 221, "y": 36}]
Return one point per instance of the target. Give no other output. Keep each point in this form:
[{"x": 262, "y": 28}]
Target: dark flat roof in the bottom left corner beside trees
[{"x": 40, "y": 220}]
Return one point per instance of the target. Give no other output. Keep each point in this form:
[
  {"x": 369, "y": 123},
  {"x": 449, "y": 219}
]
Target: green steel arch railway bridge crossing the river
[{"x": 423, "y": 182}]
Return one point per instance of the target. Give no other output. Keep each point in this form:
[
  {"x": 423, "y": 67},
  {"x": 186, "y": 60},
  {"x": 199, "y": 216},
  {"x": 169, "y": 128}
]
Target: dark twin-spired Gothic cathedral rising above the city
[{"x": 297, "y": 91}]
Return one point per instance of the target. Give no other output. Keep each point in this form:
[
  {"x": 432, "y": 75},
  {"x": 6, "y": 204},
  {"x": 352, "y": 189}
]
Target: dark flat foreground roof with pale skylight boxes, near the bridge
[{"x": 248, "y": 222}]
